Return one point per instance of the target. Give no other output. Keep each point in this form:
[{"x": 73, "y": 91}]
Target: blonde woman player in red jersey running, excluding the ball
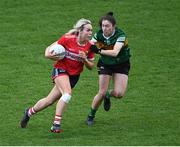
[{"x": 66, "y": 72}]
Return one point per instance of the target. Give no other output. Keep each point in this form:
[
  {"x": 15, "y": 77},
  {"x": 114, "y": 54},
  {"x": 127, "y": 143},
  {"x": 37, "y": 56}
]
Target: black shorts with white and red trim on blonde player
[{"x": 58, "y": 72}]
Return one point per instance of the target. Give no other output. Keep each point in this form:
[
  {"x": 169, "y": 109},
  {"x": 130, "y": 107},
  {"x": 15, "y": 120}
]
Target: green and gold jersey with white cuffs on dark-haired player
[{"x": 108, "y": 44}]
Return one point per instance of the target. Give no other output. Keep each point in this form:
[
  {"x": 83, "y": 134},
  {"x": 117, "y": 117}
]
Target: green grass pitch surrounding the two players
[{"x": 149, "y": 112}]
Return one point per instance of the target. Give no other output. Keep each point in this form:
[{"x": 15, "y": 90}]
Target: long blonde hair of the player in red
[{"x": 79, "y": 26}]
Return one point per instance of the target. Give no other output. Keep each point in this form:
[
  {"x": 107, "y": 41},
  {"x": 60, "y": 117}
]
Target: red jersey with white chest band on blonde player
[{"x": 73, "y": 63}]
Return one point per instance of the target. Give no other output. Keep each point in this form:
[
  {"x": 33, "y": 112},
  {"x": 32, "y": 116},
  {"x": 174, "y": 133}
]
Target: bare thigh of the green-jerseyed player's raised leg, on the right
[{"x": 120, "y": 82}]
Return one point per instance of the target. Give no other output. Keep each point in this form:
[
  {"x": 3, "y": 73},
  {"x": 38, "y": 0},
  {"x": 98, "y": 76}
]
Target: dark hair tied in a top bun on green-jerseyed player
[{"x": 108, "y": 16}]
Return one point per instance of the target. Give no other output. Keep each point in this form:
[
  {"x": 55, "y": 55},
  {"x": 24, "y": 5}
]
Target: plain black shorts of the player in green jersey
[{"x": 122, "y": 68}]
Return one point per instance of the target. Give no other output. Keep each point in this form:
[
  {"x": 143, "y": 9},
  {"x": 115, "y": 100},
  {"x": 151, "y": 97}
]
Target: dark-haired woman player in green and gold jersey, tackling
[{"x": 114, "y": 62}]
